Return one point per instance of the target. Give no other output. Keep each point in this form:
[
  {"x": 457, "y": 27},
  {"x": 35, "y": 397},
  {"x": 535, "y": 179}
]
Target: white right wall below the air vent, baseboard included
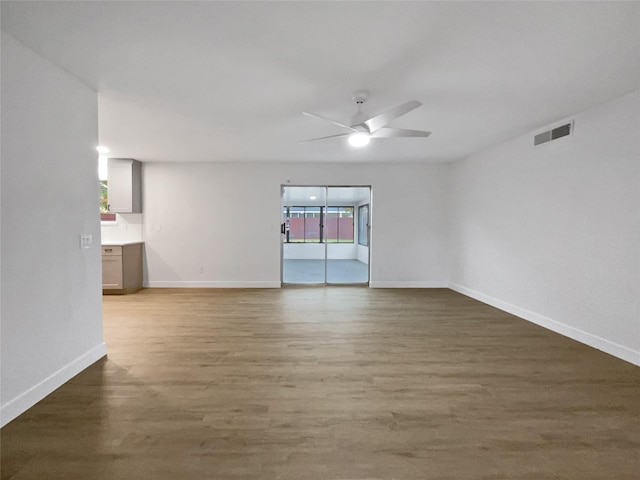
[{"x": 552, "y": 233}]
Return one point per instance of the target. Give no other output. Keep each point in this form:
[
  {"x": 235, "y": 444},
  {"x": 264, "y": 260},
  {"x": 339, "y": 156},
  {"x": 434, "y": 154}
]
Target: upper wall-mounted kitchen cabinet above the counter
[{"x": 124, "y": 185}]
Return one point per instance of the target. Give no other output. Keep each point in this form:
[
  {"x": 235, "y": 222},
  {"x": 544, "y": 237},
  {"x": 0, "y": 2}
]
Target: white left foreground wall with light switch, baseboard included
[{"x": 51, "y": 313}]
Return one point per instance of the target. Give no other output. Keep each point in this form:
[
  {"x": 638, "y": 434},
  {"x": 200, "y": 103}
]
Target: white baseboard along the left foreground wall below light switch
[{"x": 28, "y": 399}]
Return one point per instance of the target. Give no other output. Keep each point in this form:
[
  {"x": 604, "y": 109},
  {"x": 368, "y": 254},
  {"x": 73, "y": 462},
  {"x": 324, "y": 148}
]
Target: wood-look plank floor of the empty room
[{"x": 330, "y": 383}]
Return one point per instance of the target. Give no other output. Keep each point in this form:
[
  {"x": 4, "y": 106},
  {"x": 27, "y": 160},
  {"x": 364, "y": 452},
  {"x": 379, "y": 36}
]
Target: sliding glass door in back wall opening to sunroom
[{"x": 325, "y": 235}]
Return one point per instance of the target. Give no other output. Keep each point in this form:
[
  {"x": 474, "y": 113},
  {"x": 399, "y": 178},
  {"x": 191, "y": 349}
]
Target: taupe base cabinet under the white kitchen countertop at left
[{"x": 121, "y": 268}]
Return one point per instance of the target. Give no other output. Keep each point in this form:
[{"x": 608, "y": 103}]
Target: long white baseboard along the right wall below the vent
[{"x": 607, "y": 346}]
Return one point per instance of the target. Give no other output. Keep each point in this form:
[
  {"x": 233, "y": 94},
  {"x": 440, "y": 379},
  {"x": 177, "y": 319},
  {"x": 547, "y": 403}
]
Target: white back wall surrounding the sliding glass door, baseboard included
[{"x": 225, "y": 218}]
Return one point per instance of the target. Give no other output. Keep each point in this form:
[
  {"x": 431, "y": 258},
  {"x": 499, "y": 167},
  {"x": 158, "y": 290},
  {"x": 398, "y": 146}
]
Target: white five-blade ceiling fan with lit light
[{"x": 363, "y": 129}]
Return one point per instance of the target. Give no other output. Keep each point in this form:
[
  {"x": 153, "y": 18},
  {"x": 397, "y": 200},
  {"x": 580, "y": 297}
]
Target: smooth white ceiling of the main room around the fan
[{"x": 227, "y": 81}]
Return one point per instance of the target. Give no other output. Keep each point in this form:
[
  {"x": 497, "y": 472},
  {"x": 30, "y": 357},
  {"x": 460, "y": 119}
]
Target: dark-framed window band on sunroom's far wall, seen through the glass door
[{"x": 305, "y": 224}]
